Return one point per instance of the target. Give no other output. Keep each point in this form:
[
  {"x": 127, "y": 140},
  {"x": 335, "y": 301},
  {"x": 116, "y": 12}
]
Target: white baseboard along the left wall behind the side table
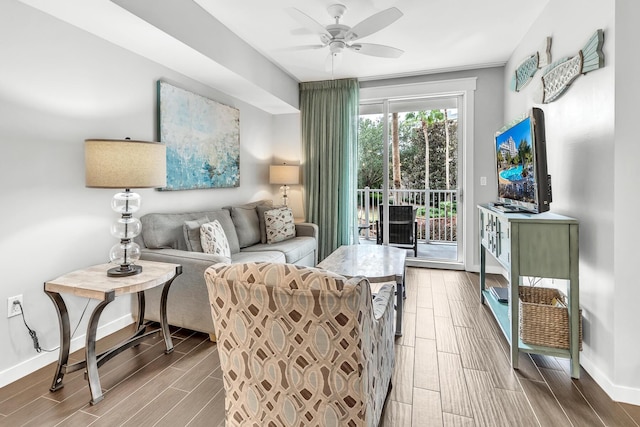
[{"x": 41, "y": 360}]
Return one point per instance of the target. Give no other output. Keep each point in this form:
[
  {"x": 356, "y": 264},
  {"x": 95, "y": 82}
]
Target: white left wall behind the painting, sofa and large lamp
[{"x": 58, "y": 86}]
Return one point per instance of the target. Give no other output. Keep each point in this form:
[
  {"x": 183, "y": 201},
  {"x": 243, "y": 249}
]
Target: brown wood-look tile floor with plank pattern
[{"x": 451, "y": 370}]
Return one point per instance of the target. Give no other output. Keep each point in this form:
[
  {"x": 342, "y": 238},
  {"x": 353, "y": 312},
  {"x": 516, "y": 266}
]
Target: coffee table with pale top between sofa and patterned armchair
[{"x": 375, "y": 262}]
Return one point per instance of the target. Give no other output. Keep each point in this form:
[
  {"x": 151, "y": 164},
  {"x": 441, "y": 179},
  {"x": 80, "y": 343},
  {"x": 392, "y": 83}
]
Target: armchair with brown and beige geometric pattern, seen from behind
[{"x": 301, "y": 346}]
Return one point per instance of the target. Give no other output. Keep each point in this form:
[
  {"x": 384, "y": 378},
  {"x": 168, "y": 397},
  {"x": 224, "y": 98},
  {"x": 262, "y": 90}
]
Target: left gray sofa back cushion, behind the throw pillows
[{"x": 165, "y": 230}]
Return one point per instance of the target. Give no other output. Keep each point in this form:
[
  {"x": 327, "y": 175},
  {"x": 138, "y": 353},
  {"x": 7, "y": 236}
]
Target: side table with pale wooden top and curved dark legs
[{"x": 94, "y": 283}]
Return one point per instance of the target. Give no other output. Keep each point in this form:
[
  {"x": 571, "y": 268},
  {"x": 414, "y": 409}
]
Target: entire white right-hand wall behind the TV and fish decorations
[{"x": 590, "y": 152}]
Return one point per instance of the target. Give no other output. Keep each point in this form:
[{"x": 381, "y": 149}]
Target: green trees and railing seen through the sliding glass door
[{"x": 421, "y": 144}]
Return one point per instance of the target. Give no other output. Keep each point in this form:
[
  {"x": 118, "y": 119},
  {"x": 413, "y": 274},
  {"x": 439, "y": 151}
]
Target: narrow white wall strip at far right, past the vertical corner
[{"x": 626, "y": 175}]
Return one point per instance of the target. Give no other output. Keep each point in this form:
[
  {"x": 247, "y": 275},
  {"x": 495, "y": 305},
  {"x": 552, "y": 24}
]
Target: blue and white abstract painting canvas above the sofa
[{"x": 202, "y": 138}]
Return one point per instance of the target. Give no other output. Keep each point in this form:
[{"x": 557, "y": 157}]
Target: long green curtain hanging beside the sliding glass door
[{"x": 329, "y": 122}]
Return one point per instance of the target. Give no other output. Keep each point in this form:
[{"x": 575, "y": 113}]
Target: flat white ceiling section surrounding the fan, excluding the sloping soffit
[{"x": 436, "y": 35}]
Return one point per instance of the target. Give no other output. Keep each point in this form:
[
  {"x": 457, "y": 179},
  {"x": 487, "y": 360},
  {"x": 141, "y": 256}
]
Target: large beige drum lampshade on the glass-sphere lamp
[{"x": 112, "y": 163}]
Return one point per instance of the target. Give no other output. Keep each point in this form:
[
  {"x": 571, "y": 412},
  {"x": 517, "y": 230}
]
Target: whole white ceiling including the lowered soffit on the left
[{"x": 436, "y": 36}]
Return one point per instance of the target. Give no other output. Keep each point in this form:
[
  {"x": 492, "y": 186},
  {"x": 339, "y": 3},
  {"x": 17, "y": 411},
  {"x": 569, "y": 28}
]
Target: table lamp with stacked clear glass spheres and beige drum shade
[{"x": 125, "y": 164}]
